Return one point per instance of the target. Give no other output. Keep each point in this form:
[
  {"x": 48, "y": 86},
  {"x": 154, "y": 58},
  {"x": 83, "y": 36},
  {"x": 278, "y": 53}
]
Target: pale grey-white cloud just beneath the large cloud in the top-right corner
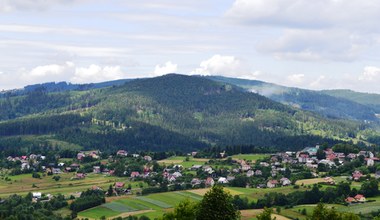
[{"x": 315, "y": 45}]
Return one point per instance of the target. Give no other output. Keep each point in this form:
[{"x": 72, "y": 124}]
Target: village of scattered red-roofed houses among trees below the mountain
[{"x": 269, "y": 171}]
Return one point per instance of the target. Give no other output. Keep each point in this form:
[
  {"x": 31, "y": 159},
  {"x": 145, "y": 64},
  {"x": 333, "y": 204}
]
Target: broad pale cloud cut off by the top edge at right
[{"x": 355, "y": 14}]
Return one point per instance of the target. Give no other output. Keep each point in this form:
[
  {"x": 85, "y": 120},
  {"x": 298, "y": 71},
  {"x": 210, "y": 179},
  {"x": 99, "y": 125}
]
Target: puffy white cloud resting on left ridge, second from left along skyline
[{"x": 95, "y": 73}]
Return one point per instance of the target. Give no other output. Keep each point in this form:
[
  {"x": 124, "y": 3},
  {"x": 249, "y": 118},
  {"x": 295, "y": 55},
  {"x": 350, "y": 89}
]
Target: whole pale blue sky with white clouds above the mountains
[{"x": 324, "y": 44}]
